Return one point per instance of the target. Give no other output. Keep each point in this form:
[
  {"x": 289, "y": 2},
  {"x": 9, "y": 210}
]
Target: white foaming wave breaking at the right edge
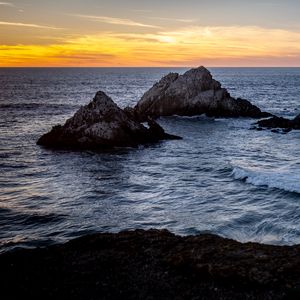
[{"x": 284, "y": 179}]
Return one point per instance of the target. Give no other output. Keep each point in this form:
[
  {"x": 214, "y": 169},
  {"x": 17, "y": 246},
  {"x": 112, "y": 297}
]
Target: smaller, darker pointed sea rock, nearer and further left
[{"x": 102, "y": 124}]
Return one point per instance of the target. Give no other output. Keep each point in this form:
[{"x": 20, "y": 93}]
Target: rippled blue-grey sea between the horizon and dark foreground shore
[{"x": 221, "y": 178}]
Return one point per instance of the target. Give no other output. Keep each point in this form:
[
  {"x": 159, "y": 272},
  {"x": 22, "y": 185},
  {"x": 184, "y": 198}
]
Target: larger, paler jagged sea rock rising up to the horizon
[{"x": 193, "y": 93}]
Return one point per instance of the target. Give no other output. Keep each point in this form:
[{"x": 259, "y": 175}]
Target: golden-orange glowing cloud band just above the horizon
[{"x": 188, "y": 46}]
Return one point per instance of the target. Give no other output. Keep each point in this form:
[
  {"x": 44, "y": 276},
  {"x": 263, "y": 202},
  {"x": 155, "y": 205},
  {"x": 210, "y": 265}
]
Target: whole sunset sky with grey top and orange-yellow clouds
[{"x": 136, "y": 33}]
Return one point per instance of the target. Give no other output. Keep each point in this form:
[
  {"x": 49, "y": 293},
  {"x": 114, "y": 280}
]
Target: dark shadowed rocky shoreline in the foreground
[{"x": 153, "y": 264}]
